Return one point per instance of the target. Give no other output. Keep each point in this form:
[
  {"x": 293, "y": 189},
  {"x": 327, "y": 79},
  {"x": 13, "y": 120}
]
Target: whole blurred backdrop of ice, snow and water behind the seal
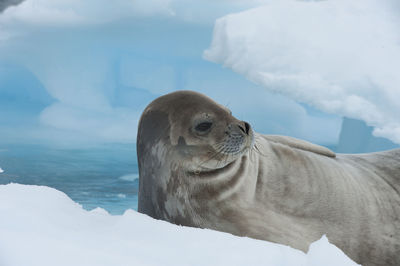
[{"x": 76, "y": 75}]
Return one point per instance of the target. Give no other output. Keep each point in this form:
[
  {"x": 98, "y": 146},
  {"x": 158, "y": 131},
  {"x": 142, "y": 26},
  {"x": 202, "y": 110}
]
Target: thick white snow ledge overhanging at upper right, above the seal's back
[{"x": 339, "y": 56}]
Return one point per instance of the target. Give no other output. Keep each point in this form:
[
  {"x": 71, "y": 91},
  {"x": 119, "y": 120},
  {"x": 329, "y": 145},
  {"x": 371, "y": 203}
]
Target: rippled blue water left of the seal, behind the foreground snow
[{"x": 103, "y": 176}]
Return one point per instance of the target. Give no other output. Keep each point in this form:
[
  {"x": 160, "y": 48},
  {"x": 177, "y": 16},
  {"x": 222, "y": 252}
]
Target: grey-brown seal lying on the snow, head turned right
[{"x": 199, "y": 166}]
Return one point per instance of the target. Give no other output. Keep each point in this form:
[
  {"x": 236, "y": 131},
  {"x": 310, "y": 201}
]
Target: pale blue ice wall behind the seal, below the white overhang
[{"x": 91, "y": 67}]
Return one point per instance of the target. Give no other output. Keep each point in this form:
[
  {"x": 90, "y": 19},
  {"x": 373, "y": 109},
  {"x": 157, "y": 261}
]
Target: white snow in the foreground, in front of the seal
[{"x": 42, "y": 226}]
